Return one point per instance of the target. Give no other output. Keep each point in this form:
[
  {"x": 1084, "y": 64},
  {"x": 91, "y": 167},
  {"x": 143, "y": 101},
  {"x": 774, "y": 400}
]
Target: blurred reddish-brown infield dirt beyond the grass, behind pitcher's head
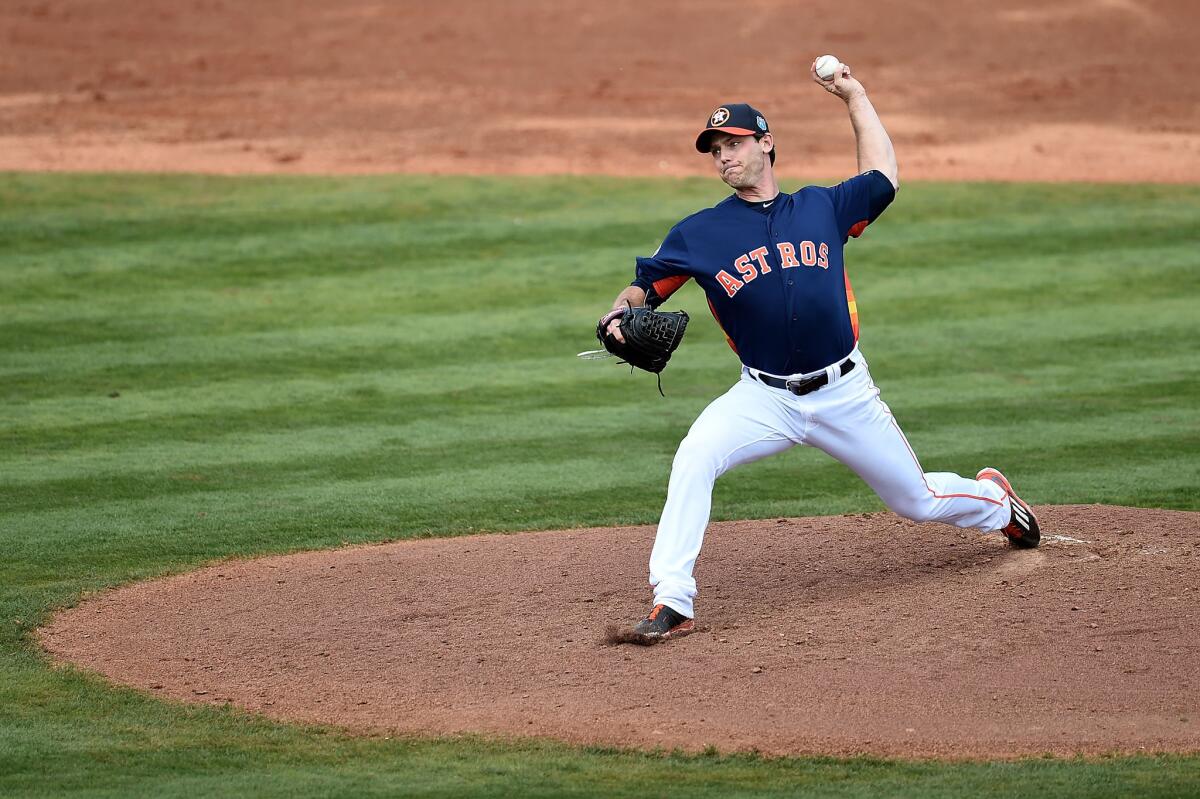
[{"x": 1011, "y": 91}]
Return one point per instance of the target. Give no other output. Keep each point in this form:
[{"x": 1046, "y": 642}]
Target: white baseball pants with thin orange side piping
[{"x": 845, "y": 419}]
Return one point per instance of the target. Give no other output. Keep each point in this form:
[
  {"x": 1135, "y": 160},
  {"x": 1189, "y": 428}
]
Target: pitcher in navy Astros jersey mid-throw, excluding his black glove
[{"x": 772, "y": 267}]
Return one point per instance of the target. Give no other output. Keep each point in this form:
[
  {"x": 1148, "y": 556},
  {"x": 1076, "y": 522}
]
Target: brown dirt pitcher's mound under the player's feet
[{"x": 842, "y": 635}]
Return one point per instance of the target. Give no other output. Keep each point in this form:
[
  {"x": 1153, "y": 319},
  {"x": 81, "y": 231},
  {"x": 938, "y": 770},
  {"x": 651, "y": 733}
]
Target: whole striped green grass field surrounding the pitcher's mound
[{"x": 196, "y": 369}]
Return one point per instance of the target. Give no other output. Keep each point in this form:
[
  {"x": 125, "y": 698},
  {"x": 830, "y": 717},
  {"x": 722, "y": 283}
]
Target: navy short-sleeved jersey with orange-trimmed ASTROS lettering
[{"x": 773, "y": 272}]
